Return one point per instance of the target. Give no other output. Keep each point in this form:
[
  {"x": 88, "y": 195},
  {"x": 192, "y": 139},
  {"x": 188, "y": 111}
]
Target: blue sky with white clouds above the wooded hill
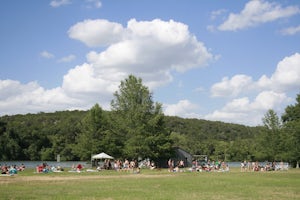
[{"x": 217, "y": 60}]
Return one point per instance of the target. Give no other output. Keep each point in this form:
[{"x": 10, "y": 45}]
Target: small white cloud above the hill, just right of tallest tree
[{"x": 184, "y": 108}]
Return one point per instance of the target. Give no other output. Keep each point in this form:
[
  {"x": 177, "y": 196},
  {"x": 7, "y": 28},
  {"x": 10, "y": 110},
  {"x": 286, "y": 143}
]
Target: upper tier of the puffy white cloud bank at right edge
[{"x": 285, "y": 78}]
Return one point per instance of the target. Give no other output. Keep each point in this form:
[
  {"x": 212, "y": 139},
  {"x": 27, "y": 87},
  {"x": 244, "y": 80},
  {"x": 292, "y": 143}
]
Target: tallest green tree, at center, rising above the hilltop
[{"x": 141, "y": 121}]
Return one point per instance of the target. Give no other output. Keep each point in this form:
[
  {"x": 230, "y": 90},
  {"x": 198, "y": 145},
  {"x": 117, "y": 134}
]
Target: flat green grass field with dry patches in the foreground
[{"x": 154, "y": 184}]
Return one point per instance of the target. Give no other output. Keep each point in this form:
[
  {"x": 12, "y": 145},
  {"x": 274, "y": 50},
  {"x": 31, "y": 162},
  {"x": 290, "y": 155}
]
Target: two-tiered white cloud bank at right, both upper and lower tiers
[{"x": 272, "y": 93}]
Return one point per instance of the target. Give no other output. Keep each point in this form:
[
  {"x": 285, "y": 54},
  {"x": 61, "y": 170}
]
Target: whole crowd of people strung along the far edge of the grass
[{"x": 135, "y": 167}]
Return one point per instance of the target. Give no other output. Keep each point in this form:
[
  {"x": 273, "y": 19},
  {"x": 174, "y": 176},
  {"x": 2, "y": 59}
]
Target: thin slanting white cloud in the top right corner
[{"x": 257, "y": 12}]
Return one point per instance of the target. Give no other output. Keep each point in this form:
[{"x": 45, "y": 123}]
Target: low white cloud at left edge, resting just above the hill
[{"x": 23, "y": 98}]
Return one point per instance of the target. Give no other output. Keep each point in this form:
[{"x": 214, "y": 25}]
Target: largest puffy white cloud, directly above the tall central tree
[{"x": 148, "y": 49}]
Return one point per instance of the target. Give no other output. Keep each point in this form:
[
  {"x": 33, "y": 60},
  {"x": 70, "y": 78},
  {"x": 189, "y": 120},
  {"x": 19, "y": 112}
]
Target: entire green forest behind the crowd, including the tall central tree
[{"x": 136, "y": 128}]
